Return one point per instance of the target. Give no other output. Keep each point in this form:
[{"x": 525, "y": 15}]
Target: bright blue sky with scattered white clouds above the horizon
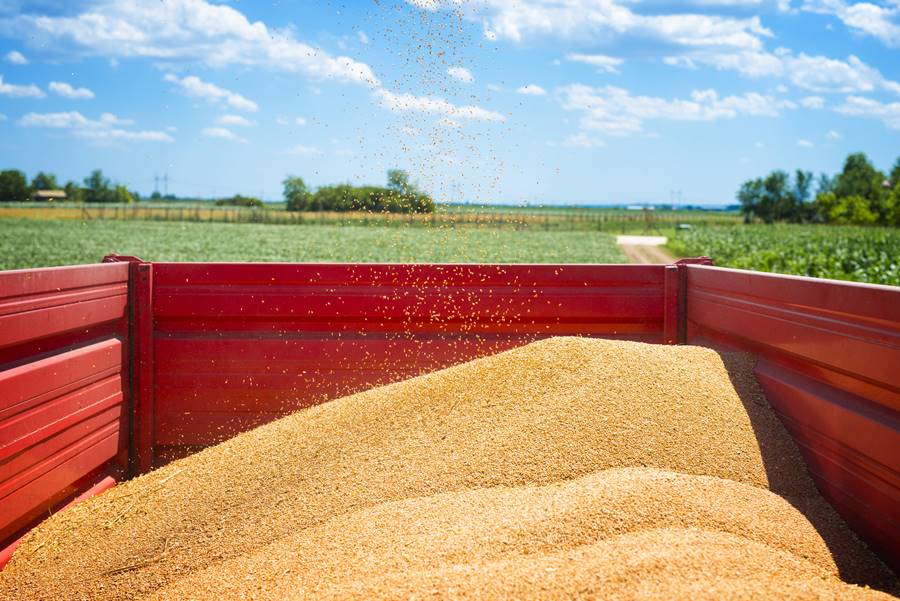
[{"x": 546, "y": 101}]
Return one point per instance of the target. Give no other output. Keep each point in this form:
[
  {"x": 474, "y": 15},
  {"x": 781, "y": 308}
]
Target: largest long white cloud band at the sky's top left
[{"x": 215, "y": 35}]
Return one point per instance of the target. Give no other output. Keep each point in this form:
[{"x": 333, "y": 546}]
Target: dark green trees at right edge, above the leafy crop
[{"x": 859, "y": 194}]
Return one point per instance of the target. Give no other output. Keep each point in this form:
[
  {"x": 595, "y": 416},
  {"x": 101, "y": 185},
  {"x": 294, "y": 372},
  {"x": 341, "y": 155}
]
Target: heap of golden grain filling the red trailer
[{"x": 566, "y": 468}]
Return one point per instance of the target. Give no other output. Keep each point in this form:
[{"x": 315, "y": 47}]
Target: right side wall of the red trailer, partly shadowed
[{"x": 829, "y": 361}]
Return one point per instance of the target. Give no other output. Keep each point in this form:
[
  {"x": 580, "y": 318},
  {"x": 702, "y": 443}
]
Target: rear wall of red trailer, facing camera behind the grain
[{"x": 240, "y": 344}]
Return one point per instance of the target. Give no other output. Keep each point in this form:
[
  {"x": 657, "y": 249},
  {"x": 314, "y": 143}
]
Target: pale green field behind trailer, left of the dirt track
[{"x": 42, "y": 243}]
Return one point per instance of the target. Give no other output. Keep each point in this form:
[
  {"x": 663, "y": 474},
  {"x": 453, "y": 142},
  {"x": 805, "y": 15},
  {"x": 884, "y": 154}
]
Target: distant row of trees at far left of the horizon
[{"x": 14, "y": 187}]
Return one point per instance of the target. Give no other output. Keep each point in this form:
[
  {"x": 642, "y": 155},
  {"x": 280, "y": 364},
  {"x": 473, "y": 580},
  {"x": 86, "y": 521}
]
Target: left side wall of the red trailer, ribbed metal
[{"x": 63, "y": 386}]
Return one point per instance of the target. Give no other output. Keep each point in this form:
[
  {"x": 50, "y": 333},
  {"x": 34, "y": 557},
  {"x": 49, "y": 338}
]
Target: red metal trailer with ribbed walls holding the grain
[{"x": 110, "y": 370}]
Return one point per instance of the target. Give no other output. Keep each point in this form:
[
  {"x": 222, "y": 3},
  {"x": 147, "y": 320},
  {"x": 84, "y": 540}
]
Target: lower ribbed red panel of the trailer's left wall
[{"x": 44, "y": 444}]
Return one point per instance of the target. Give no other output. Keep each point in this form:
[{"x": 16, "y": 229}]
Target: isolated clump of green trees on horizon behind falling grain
[{"x": 399, "y": 196}]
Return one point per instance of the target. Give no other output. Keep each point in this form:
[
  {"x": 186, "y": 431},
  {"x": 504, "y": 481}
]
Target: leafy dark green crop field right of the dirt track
[{"x": 863, "y": 254}]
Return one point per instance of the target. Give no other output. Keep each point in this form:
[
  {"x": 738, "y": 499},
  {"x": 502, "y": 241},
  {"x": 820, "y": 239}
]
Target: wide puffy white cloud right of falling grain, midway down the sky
[{"x": 614, "y": 111}]
